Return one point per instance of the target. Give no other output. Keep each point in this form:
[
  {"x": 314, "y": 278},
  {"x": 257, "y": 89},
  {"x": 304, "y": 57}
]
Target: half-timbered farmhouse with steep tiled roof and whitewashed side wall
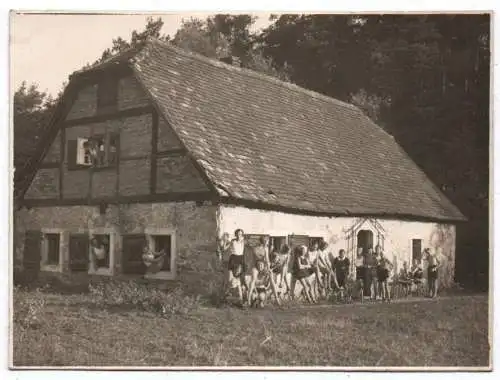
[{"x": 191, "y": 148}]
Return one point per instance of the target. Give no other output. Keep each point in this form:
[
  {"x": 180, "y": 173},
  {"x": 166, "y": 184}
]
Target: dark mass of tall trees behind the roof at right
[{"x": 425, "y": 78}]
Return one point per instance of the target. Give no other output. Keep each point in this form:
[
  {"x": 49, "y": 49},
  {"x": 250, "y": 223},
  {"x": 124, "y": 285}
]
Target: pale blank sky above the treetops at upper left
[{"x": 46, "y": 49}]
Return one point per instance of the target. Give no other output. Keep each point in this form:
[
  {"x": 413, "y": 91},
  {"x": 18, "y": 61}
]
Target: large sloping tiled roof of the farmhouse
[{"x": 264, "y": 140}]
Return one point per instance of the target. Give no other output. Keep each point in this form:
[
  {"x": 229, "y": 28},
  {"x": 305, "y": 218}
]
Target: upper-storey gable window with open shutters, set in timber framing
[{"x": 99, "y": 151}]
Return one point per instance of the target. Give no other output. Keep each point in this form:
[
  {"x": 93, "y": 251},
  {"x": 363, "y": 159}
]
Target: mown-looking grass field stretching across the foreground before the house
[{"x": 77, "y": 330}]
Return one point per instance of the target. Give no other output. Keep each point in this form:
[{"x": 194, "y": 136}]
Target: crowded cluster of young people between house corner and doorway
[{"x": 264, "y": 269}]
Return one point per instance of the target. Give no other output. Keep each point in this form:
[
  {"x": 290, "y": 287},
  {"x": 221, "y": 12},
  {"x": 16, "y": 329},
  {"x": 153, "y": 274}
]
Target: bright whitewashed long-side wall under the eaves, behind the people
[{"x": 398, "y": 235}]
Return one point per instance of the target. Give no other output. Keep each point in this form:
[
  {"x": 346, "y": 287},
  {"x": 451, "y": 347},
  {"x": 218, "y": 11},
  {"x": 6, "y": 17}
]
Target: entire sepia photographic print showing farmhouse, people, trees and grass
[{"x": 250, "y": 191}]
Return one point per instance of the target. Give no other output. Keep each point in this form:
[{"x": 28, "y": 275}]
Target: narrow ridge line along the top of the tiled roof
[{"x": 253, "y": 74}]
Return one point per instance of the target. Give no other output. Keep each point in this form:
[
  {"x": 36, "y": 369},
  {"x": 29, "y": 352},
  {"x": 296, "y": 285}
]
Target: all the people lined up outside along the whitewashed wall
[{"x": 264, "y": 269}]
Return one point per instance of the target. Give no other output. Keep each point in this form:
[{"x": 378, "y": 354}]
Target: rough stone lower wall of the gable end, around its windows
[{"x": 195, "y": 227}]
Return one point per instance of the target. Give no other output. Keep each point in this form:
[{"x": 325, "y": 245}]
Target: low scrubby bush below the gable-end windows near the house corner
[{"x": 133, "y": 295}]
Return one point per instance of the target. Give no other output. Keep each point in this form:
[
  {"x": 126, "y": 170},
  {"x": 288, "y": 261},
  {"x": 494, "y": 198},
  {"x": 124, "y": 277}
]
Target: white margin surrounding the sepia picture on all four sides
[{"x": 217, "y": 7}]
